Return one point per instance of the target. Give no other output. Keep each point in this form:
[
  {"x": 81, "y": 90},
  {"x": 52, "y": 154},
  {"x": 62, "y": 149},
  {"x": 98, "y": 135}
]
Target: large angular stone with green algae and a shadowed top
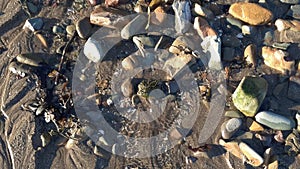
[{"x": 250, "y": 94}]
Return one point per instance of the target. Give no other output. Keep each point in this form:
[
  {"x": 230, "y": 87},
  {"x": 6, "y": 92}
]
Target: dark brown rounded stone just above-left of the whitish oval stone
[{"x": 83, "y": 27}]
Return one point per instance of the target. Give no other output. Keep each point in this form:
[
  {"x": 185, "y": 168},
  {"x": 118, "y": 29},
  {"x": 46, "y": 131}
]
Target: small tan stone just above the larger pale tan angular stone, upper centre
[{"x": 179, "y": 44}]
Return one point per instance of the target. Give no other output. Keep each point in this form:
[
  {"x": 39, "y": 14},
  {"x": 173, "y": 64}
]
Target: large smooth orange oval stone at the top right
[{"x": 250, "y": 13}]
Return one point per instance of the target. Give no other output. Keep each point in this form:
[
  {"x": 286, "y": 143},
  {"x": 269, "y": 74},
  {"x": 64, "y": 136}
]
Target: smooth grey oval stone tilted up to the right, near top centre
[{"x": 135, "y": 26}]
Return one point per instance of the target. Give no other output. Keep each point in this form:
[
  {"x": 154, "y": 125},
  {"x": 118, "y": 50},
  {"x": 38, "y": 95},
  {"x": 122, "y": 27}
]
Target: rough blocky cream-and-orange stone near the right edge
[{"x": 275, "y": 59}]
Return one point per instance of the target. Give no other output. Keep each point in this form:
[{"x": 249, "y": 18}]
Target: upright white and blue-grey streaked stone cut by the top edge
[{"x": 183, "y": 16}]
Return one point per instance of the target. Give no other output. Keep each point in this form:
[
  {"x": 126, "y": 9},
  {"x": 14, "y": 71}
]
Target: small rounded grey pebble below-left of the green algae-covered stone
[{"x": 230, "y": 127}]
